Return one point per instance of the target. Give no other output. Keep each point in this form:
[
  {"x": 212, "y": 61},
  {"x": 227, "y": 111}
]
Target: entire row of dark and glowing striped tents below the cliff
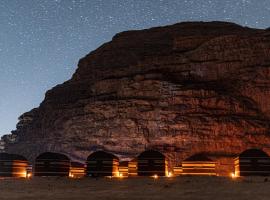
[{"x": 148, "y": 163}]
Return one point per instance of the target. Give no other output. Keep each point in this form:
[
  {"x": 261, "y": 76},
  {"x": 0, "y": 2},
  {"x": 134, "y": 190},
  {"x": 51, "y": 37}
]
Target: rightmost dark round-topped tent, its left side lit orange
[{"x": 252, "y": 162}]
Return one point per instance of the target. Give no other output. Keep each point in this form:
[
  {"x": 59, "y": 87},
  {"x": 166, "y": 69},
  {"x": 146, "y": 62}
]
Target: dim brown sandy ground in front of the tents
[{"x": 190, "y": 188}]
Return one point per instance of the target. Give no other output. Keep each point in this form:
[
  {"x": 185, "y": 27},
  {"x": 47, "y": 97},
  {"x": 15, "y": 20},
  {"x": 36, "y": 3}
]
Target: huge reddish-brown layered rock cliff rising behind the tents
[{"x": 181, "y": 89}]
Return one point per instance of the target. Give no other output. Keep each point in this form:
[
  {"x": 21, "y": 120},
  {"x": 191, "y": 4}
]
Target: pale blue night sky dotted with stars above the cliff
[{"x": 41, "y": 41}]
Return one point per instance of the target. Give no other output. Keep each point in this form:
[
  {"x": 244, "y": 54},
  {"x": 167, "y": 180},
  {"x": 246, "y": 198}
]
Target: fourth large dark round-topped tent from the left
[{"x": 152, "y": 163}]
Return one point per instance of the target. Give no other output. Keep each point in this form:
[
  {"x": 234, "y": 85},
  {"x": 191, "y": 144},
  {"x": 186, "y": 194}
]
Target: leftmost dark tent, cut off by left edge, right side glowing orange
[{"x": 12, "y": 165}]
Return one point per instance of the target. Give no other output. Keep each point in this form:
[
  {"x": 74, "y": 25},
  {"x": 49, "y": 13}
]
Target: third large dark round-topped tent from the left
[{"x": 101, "y": 163}]
